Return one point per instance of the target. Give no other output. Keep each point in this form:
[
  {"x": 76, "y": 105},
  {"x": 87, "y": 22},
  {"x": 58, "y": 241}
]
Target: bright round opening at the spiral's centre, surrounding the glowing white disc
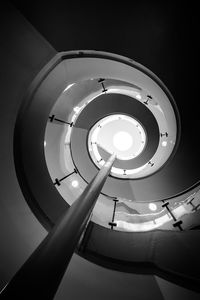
[{"x": 119, "y": 134}]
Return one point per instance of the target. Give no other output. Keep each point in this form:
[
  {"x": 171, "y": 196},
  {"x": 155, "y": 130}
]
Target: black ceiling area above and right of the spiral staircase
[{"x": 161, "y": 35}]
